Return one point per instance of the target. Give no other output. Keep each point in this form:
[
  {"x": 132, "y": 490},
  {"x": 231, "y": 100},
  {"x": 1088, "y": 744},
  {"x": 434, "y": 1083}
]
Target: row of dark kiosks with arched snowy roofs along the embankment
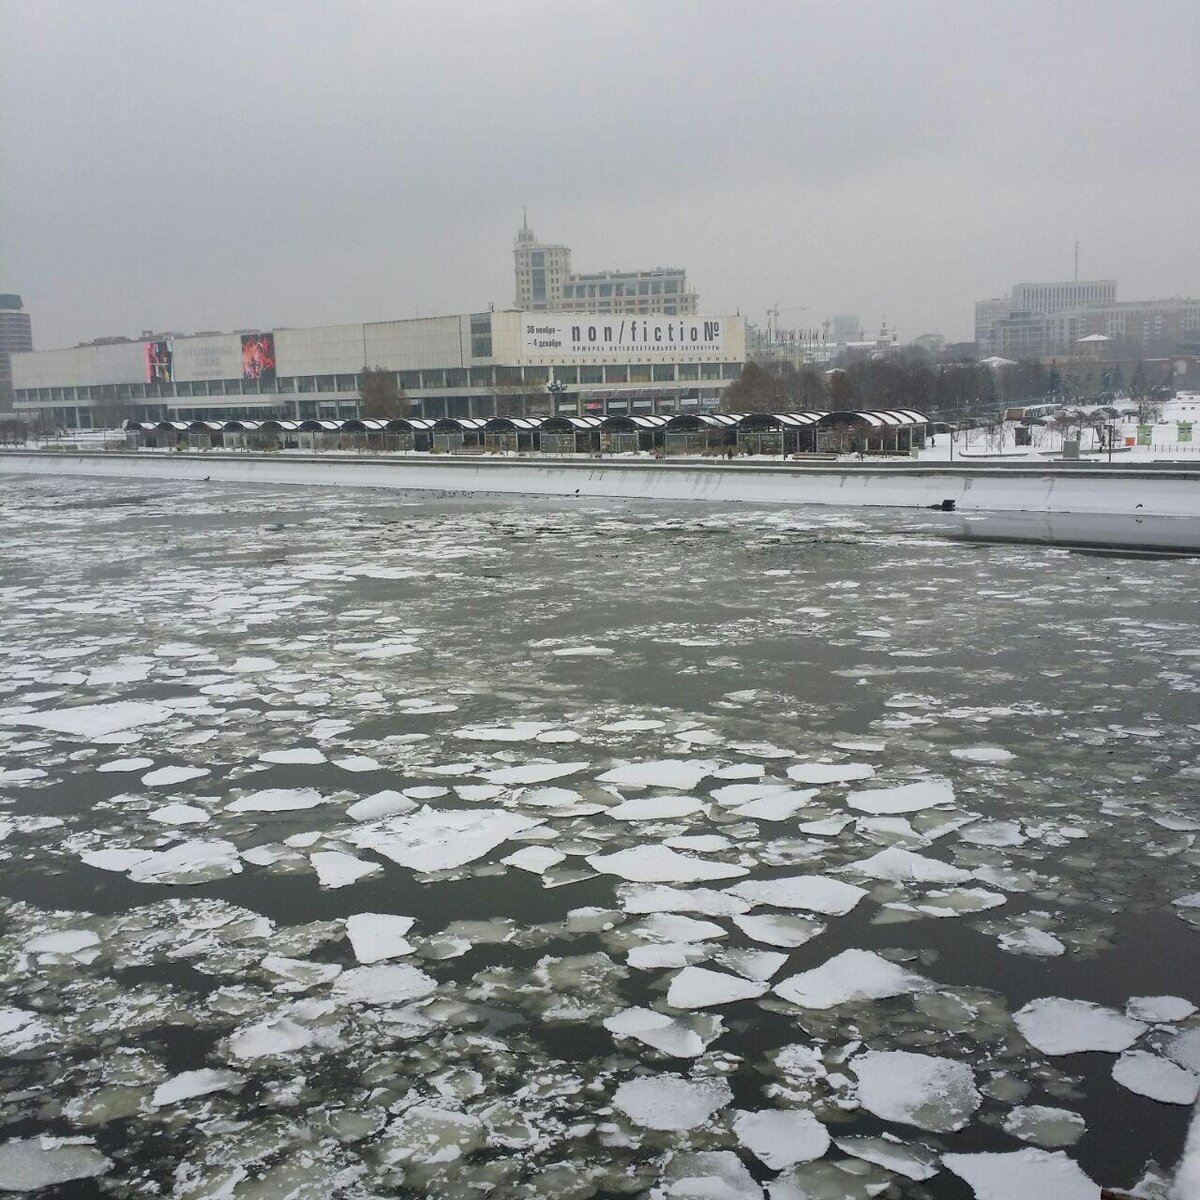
[{"x": 893, "y": 431}]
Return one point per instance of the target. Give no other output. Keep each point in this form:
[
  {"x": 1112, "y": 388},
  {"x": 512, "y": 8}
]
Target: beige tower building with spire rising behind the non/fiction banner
[{"x": 545, "y": 284}]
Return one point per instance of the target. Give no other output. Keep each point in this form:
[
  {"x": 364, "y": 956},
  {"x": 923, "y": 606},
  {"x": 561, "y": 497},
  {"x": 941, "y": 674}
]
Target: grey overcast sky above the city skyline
[{"x": 223, "y": 165}]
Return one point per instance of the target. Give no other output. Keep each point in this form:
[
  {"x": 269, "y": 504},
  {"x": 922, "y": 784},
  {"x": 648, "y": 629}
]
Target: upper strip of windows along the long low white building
[{"x": 411, "y": 381}]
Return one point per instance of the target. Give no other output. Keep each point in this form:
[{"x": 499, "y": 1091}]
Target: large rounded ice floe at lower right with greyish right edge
[{"x": 921, "y": 1090}]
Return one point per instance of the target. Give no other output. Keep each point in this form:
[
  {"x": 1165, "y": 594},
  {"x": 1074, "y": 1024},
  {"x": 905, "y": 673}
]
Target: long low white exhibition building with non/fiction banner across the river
[{"x": 469, "y": 365}]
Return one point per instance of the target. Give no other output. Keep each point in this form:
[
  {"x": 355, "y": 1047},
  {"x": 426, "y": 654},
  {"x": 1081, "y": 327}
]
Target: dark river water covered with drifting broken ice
[{"x": 367, "y": 844}]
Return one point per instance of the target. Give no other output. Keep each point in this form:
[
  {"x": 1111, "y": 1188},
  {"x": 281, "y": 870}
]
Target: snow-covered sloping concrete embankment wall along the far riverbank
[{"x": 1115, "y": 490}]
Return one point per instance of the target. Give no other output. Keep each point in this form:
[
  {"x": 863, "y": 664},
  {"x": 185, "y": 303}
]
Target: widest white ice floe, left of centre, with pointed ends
[{"x": 437, "y": 841}]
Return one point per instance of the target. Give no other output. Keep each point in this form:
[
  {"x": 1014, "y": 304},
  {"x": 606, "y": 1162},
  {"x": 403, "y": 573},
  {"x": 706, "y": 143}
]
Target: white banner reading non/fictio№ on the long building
[{"x": 556, "y": 335}]
